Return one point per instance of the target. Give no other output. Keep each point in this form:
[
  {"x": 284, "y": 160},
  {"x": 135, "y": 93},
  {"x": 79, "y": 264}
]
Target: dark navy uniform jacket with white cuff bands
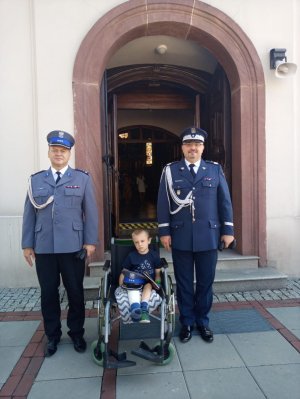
[{"x": 213, "y": 208}]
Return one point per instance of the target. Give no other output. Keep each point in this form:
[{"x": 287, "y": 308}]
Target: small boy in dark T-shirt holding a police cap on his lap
[{"x": 139, "y": 262}]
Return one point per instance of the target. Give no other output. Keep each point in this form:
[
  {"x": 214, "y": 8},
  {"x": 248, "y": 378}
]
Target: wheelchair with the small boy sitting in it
[{"x": 114, "y": 304}]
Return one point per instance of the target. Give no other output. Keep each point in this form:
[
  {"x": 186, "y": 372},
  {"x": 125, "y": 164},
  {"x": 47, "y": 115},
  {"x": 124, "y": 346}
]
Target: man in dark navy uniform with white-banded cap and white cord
[{"x": 194, "y": 215}]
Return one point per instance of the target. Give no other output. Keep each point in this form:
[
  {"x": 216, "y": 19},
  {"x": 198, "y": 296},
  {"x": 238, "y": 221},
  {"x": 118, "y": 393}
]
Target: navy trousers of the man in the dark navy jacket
[{"x": 194, "y": 303}]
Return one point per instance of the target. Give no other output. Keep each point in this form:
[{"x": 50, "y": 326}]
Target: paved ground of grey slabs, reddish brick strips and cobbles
[{"x": 255, "y": 354}]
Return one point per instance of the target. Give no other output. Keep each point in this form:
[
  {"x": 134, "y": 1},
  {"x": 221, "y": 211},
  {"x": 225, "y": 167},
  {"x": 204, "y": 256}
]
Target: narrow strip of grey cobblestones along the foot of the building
[{"x": 28, "y": 299}]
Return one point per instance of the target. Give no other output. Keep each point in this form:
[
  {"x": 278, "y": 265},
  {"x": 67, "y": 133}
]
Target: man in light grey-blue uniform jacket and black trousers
[{"x": 60, "y": 227}]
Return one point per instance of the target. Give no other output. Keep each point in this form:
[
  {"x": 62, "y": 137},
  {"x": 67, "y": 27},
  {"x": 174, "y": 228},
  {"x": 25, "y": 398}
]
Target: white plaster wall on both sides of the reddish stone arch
[{"x": 38, "y": 46}]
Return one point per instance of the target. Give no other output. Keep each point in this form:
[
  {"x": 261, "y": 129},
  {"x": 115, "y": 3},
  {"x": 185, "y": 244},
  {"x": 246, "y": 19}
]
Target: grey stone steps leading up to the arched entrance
[{"x": 235, "y": 273}]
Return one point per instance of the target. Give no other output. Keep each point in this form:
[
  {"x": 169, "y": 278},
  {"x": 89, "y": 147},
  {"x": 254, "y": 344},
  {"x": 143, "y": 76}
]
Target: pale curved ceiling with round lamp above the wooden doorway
[{"x": 164, "y": 50}]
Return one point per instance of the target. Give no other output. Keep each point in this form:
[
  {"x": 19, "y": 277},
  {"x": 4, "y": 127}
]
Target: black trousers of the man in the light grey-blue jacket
[{"x": 49, "y": 268}]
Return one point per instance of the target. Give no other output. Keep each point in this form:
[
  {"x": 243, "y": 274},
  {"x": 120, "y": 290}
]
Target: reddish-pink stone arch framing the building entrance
[{"x": 217, "y": 32}]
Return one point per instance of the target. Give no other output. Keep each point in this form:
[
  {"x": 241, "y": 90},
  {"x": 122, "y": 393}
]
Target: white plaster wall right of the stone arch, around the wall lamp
[{"x": 269, "y": 25}]
